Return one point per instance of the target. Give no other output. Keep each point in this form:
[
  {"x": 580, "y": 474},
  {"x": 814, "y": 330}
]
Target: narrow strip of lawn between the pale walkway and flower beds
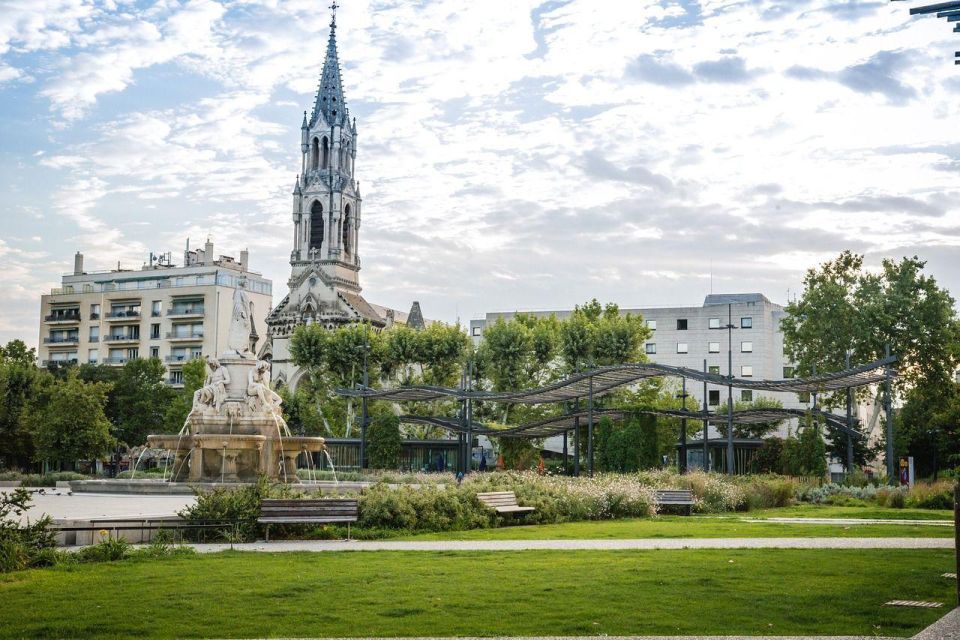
[{"x": 726, "y": 526}]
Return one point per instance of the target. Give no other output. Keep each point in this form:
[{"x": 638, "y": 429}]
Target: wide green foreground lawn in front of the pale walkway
[{"x": 702, "y": 592}]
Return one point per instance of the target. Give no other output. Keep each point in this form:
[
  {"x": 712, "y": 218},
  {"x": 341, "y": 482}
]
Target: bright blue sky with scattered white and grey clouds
[{"x": 513, "y": 154}]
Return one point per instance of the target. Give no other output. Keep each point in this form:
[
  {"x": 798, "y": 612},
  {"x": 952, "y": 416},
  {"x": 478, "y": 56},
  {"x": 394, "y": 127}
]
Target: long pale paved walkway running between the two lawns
[{"x": 594, "y": 545}]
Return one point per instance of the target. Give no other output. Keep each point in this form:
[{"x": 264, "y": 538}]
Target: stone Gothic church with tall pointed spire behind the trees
[{"x": 327, "y": 211}]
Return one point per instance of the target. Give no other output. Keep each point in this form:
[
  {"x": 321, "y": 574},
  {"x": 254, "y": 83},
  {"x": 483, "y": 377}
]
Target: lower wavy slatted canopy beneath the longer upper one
[{"x": 558, "y": 424}]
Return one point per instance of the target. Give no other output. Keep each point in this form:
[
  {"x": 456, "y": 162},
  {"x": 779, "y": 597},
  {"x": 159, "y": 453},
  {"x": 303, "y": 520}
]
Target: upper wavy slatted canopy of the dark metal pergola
[{"x": 603, "y": 380}]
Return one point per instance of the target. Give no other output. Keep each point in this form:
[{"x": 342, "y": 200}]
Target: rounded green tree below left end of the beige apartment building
[{"x": 68, "y": 422}]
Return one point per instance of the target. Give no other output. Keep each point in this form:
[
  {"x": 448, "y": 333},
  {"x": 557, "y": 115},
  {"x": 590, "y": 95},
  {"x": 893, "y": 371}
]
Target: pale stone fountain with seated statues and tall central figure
[{"x": 235, "y": 431}]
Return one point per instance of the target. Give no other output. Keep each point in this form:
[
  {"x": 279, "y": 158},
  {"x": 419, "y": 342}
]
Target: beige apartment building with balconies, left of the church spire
[{"x": 161, "y": 310}]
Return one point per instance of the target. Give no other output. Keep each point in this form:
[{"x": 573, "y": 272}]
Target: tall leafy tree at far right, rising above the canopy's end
[{"x": 844, "y": 306}]
